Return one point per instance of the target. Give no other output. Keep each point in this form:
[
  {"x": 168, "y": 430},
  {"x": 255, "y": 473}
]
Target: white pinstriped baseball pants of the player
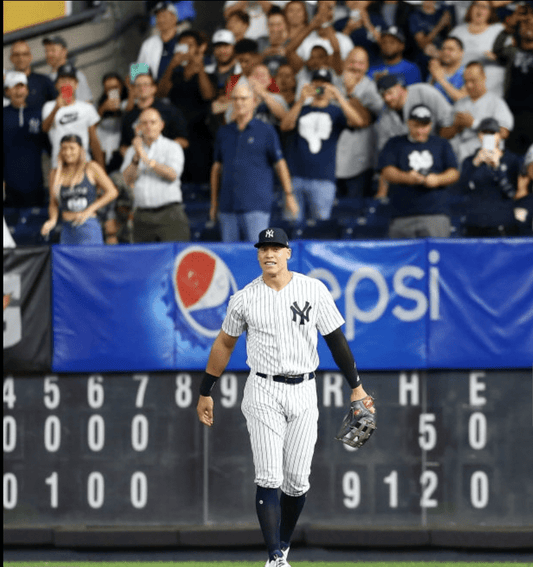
[{"x": 282, "y": 421}]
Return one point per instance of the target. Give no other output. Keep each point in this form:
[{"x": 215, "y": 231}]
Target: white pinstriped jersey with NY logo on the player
[{"x": 282, "y": 325}]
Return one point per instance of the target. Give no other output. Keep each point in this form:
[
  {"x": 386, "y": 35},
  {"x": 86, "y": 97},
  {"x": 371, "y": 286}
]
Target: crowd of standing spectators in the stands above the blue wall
[{"x": 347, "y": 119}]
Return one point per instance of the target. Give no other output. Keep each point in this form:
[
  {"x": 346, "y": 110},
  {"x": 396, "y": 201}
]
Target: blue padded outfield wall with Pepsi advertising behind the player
[{"x": 407, "y": 304}]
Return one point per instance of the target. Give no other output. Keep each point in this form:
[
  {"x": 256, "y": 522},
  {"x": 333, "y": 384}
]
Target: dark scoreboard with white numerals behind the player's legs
[{"x": 451, "y": 449}]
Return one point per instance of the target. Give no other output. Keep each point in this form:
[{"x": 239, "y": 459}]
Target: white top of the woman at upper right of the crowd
[{"x": 475, "y": 47}]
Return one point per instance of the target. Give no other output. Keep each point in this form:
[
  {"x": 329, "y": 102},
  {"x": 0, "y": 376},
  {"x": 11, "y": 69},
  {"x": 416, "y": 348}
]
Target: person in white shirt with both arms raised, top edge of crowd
[{"x": 298, "y": 51}]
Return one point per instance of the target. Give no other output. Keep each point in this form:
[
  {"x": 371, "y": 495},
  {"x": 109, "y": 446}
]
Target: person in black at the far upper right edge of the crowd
[{"x": 518, "y": 57}]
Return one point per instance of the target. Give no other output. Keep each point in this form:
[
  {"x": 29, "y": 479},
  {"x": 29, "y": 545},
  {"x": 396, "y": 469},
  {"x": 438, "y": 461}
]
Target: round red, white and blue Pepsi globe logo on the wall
[{"x": 203, "y": 285}]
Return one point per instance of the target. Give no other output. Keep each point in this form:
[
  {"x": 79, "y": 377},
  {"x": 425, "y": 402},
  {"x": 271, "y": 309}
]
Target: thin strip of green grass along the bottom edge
[{"x": 250, "y": 563}]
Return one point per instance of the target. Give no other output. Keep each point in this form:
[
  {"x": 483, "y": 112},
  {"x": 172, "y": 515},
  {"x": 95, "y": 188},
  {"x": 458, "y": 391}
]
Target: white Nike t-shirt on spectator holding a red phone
[{"x": 75, "y": 118}]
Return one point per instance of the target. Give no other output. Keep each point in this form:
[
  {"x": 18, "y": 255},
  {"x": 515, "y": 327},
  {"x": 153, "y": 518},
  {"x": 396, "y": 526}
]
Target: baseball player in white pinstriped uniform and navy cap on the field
[{"x": 281, "y": 311}]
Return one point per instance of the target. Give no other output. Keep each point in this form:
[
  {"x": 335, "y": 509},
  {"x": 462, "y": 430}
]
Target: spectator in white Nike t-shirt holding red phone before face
[{"x": 68, "y": 115}]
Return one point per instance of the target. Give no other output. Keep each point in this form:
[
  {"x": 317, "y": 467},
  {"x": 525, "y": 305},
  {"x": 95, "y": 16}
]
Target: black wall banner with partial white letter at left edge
[{"x": 27, "y": 328}]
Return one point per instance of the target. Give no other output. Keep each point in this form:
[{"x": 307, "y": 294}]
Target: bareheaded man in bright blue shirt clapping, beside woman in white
[{"x": 446, "y": 70}]
